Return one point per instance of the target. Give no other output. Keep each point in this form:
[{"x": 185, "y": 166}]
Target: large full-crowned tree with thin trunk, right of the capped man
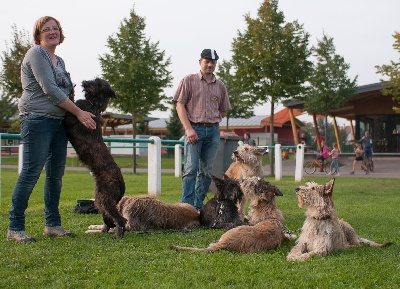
[{"x": 271, "y": 58}]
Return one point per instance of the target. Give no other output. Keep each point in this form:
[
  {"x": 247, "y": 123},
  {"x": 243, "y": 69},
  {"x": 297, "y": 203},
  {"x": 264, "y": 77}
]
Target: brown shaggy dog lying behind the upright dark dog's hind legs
[{"x": 147, "y": 213}]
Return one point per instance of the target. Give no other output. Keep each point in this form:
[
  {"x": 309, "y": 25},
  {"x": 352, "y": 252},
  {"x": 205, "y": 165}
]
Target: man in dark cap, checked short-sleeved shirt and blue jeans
[{"x": 201, "y": 102}]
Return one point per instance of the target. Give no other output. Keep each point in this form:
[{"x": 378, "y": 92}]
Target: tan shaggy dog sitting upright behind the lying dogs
[{"x": 248, "y": 163}]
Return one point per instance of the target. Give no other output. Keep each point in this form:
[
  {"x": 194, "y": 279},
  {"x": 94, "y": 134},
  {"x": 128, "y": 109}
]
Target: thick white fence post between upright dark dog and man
[{"x": 154, "y": 167}]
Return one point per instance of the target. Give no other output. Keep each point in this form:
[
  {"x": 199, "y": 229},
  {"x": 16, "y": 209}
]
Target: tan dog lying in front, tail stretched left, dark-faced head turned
[{"x": 267, "y": 232}]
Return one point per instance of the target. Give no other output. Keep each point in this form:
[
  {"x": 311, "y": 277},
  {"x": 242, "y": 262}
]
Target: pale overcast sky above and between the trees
[{"x": 362, "y": 31}]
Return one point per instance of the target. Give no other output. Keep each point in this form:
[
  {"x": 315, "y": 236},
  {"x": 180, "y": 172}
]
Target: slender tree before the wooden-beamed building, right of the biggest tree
[{"x": 330, "y": 87}]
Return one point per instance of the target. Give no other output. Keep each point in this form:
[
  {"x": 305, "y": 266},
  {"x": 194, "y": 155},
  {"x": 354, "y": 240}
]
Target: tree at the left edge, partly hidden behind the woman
[{"x": 10, "y": 75}]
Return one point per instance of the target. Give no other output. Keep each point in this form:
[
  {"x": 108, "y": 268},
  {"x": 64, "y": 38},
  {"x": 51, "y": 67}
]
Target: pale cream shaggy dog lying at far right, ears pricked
[{"x": 322, "y": 231}]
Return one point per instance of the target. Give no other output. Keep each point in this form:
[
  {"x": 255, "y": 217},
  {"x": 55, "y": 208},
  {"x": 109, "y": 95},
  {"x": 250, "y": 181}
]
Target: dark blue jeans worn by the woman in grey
[{"x": 44, "y": 144}]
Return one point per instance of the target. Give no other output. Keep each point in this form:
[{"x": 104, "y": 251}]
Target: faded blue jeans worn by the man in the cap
[{"x": 198, "y": 163}]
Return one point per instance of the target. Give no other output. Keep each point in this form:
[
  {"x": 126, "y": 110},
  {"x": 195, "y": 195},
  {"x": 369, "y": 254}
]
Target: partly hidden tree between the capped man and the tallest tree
[{"x": 242, "y": 107}]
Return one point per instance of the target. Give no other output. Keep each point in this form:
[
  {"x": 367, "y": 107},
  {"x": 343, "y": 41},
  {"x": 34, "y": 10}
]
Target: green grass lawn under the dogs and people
[{"x": 142, "y": 259}]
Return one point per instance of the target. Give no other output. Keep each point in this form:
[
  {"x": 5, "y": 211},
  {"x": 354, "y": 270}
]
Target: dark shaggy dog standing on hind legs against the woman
[{"x": 92, "y": 151}]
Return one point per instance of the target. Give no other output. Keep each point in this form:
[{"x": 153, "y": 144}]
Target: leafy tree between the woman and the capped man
[{"x": 137, "y": 70}]
